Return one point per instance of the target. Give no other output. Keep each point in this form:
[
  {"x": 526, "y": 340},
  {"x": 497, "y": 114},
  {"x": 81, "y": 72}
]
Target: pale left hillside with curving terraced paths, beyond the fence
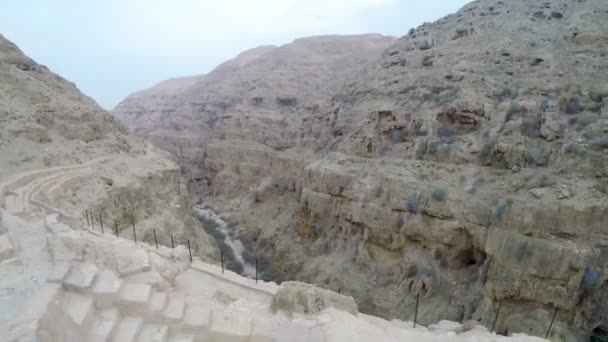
[{"x": 83, "y": 160}]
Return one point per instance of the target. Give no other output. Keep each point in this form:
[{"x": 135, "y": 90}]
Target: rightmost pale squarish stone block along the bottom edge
[{"x": 234, "y": 327}]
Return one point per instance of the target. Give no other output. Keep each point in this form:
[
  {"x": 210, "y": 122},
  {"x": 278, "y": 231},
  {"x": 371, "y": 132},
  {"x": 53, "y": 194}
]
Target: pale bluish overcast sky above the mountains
[{"x": 111, "y": 48}]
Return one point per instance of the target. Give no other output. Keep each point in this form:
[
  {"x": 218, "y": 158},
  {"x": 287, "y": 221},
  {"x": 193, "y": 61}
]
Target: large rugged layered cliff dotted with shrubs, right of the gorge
[{"x": 466, "y": 163}]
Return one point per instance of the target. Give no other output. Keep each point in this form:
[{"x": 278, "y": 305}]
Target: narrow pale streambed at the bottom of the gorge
[{"x": 238, "y": 256}]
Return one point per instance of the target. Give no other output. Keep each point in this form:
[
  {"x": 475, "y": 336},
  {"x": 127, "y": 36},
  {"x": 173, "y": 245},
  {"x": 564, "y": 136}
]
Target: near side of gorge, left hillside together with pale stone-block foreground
[{"x": 64, "y": 279}]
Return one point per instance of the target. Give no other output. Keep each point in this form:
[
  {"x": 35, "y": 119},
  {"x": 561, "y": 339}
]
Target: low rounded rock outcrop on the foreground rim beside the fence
[{"x": 296, "y": 297}]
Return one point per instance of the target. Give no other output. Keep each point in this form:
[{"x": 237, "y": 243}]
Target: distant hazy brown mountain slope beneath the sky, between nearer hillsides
[{"x": 261, "y": 96}]
